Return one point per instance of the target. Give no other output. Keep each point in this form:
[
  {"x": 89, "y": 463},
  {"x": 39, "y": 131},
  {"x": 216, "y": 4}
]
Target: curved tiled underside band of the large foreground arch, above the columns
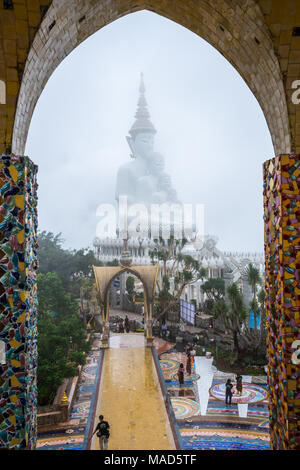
[{"x": 238, "y": 32}]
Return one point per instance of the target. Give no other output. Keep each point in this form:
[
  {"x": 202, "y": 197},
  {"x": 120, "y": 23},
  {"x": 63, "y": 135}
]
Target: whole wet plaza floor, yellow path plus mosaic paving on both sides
[{"x": 129, "y": 397}]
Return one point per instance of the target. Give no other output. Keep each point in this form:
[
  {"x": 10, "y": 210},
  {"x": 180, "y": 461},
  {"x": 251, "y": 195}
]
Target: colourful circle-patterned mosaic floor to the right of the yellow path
[{"x": 205, "y": 421}]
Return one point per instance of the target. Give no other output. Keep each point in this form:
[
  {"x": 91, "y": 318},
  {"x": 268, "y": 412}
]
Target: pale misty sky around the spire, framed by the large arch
[{"x": 210, "y": 129}]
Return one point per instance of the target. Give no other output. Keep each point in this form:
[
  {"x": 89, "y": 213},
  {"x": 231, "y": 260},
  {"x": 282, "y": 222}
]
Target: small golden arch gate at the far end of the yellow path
[{"x": 104, "y": 276}]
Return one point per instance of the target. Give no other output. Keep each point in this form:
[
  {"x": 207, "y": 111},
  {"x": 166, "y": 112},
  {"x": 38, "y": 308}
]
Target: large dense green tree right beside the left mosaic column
[{"x": 62, "y": 340}]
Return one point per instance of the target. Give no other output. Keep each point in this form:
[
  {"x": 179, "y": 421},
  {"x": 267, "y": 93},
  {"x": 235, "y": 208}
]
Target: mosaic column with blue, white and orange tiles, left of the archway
[{"x": 18, "y": 302}]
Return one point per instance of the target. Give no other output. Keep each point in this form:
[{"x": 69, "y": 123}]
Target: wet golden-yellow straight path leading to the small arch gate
[{"x": 130, "y": 398}]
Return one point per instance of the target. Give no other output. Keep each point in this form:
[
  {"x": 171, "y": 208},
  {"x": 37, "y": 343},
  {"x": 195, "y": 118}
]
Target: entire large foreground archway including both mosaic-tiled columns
[{"x": 261, "y": 39}]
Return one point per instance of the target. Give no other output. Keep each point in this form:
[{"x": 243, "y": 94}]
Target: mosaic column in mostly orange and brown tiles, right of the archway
[{"x": 281, "y": 219}]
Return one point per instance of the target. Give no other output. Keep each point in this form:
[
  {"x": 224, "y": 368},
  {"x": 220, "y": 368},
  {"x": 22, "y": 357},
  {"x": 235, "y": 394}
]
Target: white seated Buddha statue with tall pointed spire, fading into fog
[{"x": 141, "y": 181}]
